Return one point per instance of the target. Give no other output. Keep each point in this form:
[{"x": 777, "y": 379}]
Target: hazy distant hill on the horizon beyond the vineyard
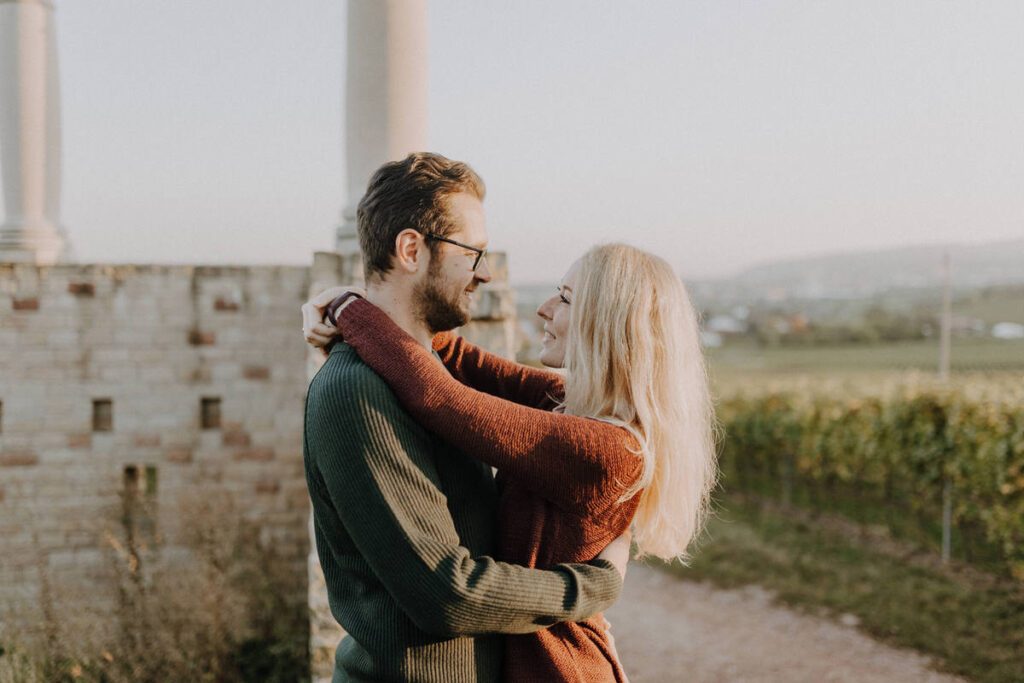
[{"x": 863, "y": 275}]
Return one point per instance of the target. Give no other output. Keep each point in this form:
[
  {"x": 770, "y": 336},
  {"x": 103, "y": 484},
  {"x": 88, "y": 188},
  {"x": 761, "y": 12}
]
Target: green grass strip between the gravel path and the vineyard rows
[{"x": 972, "y": 623}]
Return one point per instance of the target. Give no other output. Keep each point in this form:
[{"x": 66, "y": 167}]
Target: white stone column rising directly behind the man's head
[{"x": 386, "y": 96}]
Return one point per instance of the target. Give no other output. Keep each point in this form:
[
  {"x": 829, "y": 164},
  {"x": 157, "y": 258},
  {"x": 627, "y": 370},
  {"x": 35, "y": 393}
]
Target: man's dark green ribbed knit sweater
[{"x": 405, "y": 527}]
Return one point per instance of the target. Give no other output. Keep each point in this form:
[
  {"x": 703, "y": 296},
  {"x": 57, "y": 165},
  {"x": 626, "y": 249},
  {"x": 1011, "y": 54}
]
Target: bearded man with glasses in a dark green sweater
[{"x": 404, "y": 522}]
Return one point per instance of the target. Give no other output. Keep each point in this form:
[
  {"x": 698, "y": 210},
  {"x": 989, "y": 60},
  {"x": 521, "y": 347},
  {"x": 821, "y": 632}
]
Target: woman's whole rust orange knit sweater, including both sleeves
[{"x": 561, "y": 477}]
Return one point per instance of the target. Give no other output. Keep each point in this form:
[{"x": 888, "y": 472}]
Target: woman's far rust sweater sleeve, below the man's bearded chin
[{"x": 492, "y": 374}]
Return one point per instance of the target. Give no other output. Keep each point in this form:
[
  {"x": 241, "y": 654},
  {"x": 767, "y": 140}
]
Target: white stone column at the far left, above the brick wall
[{"x": 30, "y": 135}]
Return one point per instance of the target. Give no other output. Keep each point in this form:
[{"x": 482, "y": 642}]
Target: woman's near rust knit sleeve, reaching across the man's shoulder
[{"x": 578, "y": 463}]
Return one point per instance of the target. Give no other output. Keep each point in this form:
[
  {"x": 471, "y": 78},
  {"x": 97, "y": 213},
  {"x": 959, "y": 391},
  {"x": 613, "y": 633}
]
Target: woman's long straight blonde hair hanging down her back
[{"x": 633, "y": 358}]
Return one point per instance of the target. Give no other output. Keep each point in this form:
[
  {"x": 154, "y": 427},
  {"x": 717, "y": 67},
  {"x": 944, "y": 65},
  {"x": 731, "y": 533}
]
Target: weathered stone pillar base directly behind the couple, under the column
[{"x": 494, "y": 327}]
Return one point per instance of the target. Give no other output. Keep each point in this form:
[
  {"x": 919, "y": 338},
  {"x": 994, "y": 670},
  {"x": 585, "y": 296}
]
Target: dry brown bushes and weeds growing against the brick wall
[{"x": 211, "y": 609}]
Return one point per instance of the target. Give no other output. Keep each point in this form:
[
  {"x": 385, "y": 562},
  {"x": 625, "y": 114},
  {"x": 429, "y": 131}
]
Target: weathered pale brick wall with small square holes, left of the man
[{"x": 155, "y": 341}]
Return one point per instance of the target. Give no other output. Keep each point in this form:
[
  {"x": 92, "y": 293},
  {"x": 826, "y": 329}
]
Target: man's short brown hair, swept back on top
[{"x": 410, "y": 194}]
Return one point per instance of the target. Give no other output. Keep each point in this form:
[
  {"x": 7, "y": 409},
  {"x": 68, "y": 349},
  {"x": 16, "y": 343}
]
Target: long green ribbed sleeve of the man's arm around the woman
[{"x": 376, "y": 467}]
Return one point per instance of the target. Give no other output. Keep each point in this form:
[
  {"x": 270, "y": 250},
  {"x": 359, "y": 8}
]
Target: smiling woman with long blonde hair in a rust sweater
[{"x": 627, "y": 438}]
